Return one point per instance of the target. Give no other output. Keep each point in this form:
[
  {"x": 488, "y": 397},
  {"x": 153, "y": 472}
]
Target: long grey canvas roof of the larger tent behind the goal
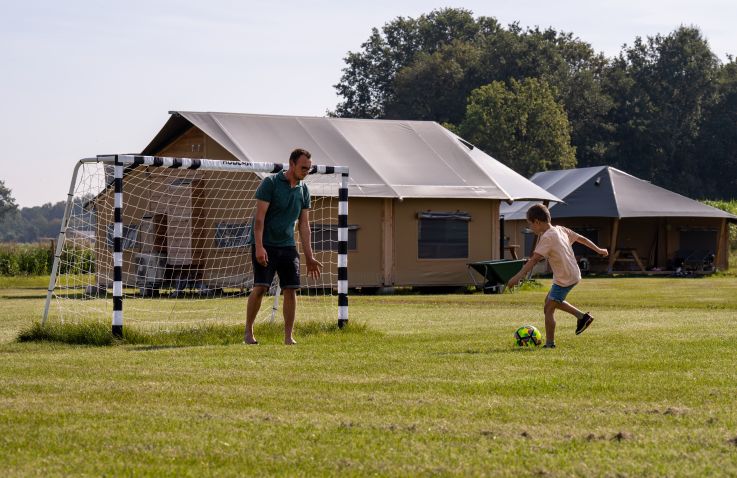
[{"x": 387, "y": 158}]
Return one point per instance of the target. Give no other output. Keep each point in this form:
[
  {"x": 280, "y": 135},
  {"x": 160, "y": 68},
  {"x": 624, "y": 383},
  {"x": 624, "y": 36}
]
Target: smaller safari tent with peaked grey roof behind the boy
[{"x": 646, "y": 228}]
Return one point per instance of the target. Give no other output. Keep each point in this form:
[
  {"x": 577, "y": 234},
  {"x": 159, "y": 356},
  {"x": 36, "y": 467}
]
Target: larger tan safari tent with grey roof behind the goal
[{"x": 423, "y": 202}]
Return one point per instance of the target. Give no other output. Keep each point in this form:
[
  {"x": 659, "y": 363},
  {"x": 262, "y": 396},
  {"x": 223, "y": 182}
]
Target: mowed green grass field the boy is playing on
[{"x": 422, "y": 386}]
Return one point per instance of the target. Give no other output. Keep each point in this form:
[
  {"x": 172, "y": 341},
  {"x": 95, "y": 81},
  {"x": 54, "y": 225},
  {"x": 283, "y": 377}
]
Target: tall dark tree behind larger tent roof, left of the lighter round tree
[{"x": 425, "y": 68}]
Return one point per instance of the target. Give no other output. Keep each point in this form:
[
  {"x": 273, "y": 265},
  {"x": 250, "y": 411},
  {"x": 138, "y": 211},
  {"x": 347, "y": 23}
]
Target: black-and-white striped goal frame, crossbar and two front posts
[{"x": 121, "y": 161}]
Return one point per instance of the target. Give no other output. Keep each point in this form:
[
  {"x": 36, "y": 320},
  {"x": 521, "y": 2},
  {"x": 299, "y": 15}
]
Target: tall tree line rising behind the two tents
[{"x": 664, "y": 109}]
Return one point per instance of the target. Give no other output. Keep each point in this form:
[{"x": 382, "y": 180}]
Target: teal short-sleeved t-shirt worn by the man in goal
[{"x": 285, "y": 206}]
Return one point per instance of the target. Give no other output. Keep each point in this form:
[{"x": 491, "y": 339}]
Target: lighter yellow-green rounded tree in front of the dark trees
[{"x": 523, "y": 126}]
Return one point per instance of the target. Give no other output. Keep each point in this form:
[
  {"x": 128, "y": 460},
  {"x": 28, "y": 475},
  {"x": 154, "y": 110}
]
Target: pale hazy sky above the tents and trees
[{"x": 86, "y": 77}]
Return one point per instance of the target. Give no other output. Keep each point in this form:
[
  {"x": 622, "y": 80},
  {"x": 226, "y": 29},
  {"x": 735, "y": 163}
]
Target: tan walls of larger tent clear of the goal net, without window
[{"x": 387, "y": 234}]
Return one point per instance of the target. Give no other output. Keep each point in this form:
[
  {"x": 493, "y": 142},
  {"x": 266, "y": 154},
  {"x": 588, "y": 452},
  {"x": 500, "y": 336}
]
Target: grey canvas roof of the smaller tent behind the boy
[{"x": 604, "y": 191}]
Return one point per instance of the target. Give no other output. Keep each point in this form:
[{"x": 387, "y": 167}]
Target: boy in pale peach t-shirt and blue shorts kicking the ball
[{"x": 554, "y": 244}]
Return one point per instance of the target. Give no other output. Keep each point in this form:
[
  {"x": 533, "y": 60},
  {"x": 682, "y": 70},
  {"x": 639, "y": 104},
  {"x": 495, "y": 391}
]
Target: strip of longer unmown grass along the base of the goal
[{"x": 100, "y": 334}]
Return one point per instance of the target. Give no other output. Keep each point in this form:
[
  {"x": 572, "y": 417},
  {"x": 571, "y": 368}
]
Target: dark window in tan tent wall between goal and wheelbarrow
[{"x": 443, "y": 235}]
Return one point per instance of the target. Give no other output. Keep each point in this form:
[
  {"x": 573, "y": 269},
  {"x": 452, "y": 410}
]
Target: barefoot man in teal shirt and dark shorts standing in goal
[{"x": 281, "y": 200}]
